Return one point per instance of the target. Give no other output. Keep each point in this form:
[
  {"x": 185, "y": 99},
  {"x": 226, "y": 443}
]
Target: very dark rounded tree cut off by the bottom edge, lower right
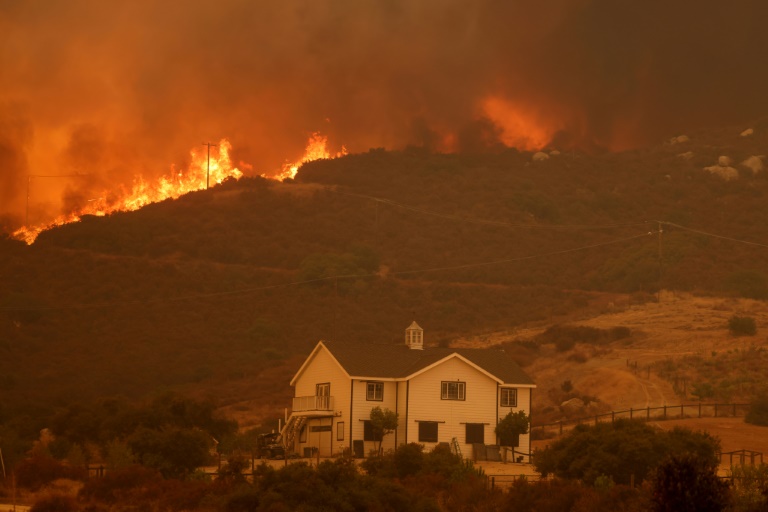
[{"x": 688, "y": 482}]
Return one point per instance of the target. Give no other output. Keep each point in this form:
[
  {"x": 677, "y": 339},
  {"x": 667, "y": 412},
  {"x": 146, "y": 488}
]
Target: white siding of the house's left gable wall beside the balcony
[{"x": 321, "y": 369}]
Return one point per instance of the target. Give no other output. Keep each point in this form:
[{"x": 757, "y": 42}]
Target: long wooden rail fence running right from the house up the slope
[{"x": 665, "y": 412}]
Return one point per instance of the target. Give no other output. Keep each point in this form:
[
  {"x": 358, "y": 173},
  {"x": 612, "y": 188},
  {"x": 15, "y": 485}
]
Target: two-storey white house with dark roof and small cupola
[{"x": 440, "y": 395}]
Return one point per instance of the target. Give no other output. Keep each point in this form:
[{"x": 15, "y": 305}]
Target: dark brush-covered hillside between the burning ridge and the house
[{"x": 199, "y": 294}]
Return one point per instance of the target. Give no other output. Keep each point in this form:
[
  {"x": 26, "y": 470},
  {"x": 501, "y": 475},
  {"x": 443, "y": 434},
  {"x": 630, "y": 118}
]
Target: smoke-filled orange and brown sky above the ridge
[{"x": 123, "y": 88}]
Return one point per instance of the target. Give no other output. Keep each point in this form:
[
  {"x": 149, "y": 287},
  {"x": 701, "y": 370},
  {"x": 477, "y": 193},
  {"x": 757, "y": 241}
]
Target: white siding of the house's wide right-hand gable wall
[{"x": 479, "y": 405}]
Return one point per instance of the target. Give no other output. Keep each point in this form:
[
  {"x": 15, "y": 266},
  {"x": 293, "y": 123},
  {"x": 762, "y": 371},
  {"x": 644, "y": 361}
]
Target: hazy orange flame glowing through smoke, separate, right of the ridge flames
[{"x": 520, "y": 126}]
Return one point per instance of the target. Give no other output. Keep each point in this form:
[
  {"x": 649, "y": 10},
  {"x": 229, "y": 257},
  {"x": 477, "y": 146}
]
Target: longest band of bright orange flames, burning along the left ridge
[{"x": 142, "y": 193}]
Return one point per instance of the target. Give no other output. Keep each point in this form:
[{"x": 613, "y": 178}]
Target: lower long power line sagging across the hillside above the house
[{"x": 244, "y": 291}]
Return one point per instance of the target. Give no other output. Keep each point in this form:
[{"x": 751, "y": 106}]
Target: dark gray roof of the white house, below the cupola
[{"x": 398, "y": 361}]
